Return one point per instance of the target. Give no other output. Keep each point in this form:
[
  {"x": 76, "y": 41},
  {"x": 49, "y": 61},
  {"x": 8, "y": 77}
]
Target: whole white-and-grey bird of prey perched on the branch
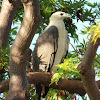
[{"x": 51, "y": 47}]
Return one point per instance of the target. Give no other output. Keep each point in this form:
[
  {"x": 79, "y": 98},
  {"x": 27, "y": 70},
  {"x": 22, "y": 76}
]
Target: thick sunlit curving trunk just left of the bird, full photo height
[{"x": 19, "y": 52}]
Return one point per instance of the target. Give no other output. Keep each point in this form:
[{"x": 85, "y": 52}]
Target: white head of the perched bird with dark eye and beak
[{"x": 59, "y": 16}]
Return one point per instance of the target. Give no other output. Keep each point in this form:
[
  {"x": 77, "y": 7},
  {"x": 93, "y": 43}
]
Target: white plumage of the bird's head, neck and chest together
[{"x": 57, "y": 20}]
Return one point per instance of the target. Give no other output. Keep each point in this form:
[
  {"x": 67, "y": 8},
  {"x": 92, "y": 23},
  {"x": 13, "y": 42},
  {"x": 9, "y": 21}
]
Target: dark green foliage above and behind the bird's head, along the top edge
[{"x": 77, "y": 9}]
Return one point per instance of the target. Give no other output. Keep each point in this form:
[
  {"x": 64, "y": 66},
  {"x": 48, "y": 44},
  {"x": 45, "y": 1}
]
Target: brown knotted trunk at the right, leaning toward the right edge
[{"x": 87, "y": 72}]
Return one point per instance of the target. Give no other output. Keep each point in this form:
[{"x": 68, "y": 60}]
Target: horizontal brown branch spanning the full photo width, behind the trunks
[{"x": 72, "y": 86}]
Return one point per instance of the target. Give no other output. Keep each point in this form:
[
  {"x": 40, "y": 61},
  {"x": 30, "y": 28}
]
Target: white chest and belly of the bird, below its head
[{"x": 62, "y": 44}]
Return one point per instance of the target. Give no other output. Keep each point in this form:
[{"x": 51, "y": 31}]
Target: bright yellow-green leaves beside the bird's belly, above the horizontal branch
[{"x": 67, "y": 70}]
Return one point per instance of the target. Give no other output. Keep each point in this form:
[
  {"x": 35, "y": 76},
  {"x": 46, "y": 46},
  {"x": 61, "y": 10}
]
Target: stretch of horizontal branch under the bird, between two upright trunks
[{"x": 44, "y": 78}]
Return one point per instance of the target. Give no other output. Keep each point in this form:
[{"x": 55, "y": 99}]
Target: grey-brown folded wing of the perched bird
[{"x": 45, "y": 50}]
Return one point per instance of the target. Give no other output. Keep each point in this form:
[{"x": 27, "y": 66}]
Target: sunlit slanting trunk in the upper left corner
[{"x": 6, "y": 17}]
